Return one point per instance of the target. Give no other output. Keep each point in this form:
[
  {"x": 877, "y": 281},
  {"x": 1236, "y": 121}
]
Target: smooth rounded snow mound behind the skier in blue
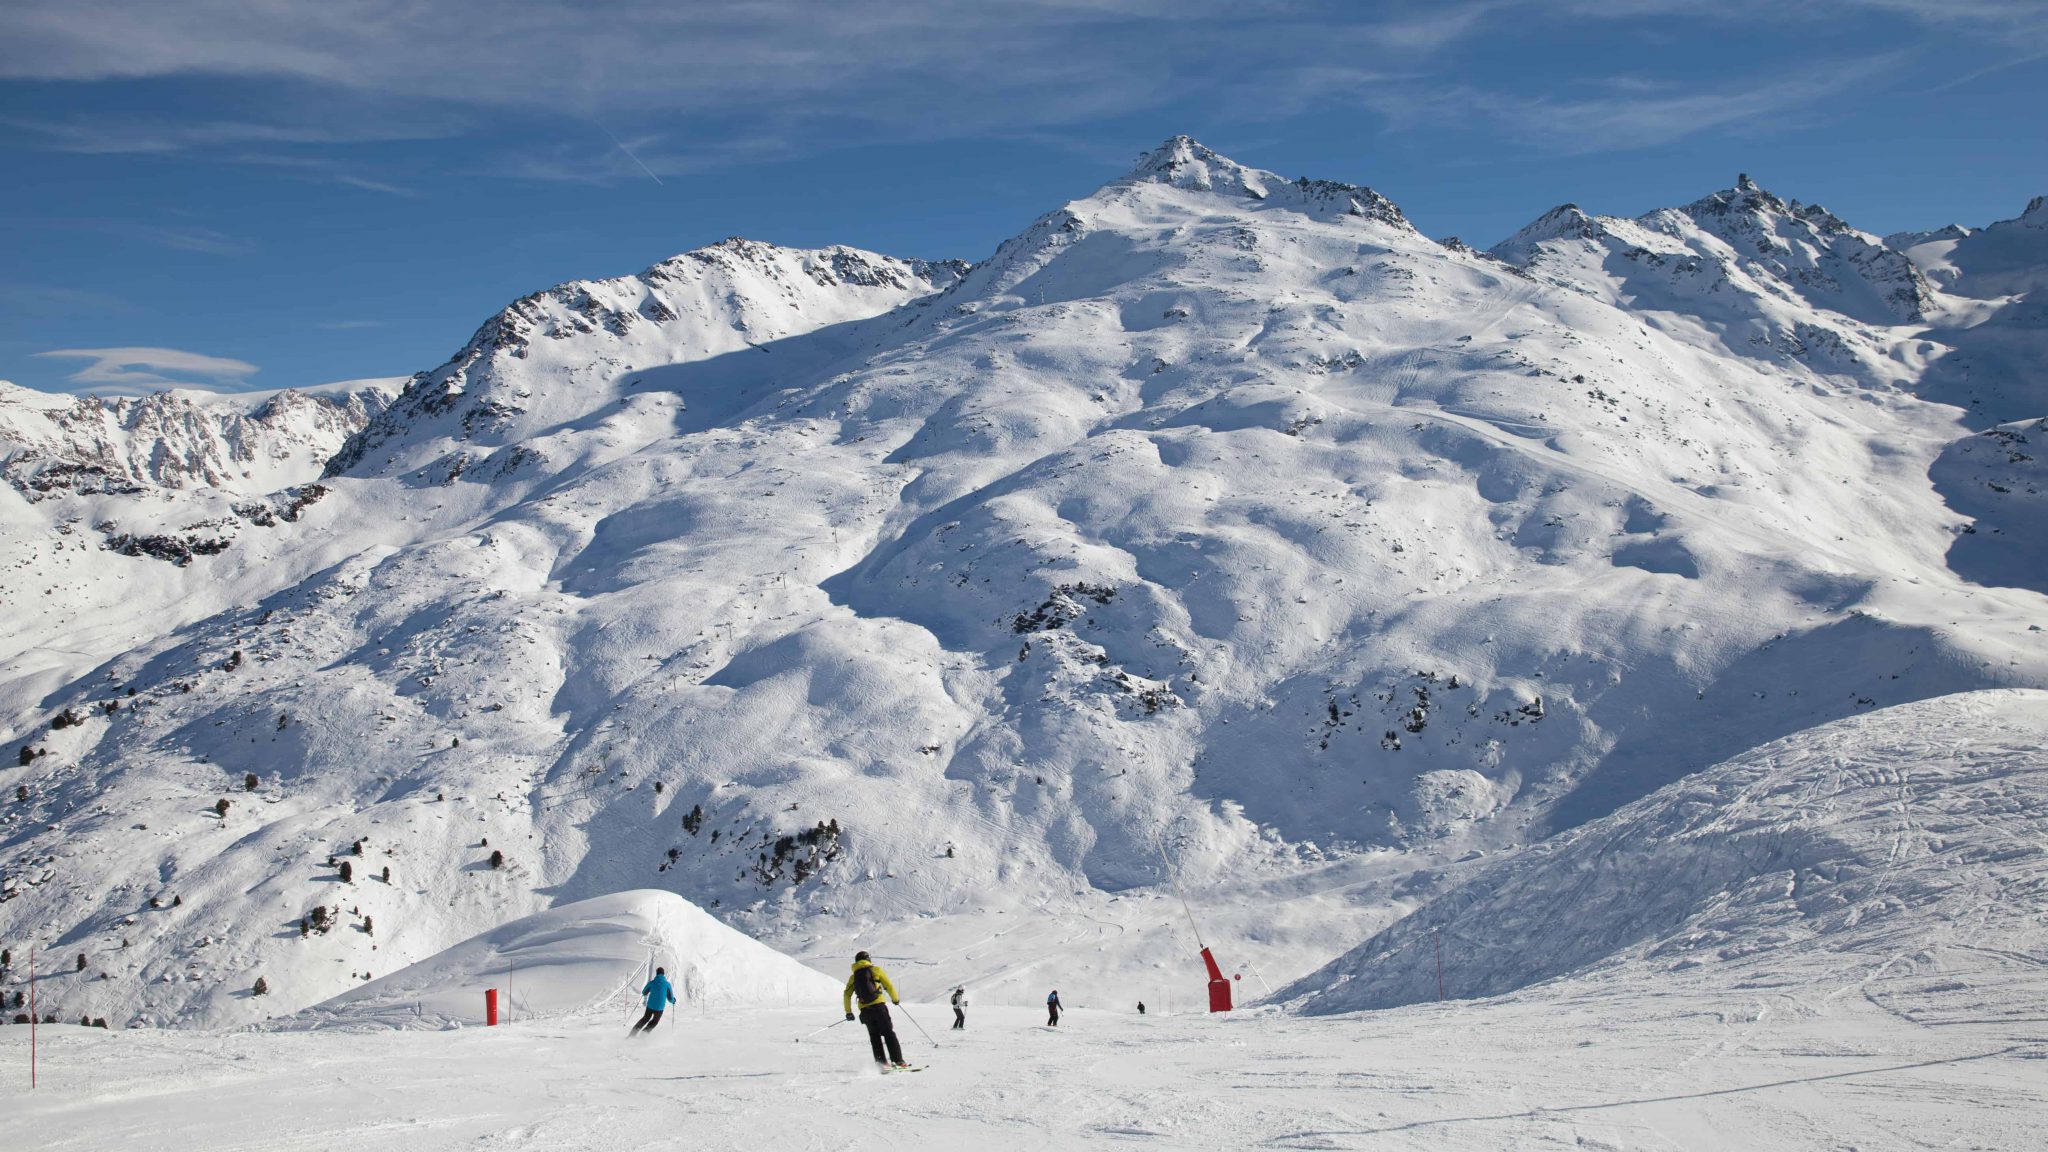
[{"x": 583, "y": 958}]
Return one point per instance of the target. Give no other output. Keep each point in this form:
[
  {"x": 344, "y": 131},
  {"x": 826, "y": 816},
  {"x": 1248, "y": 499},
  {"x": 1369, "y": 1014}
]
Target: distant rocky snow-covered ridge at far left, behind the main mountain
[{"x": 163, "y": 481}]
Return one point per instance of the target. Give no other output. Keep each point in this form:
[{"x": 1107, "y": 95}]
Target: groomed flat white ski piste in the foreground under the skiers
[{"x": 1621, "y": 1071}]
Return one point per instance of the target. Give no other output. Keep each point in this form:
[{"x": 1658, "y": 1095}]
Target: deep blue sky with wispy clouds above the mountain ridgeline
[{"x": 243, "y": 194}]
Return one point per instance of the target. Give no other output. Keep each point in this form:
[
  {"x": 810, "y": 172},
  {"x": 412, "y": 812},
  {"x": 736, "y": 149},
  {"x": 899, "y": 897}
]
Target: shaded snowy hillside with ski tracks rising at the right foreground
[{"x": 1895, "y": 854}]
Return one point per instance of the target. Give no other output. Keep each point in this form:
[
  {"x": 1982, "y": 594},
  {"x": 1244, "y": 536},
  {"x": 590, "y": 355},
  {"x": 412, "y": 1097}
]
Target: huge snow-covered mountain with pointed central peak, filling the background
[{"x": 1218, "y": 528}]
